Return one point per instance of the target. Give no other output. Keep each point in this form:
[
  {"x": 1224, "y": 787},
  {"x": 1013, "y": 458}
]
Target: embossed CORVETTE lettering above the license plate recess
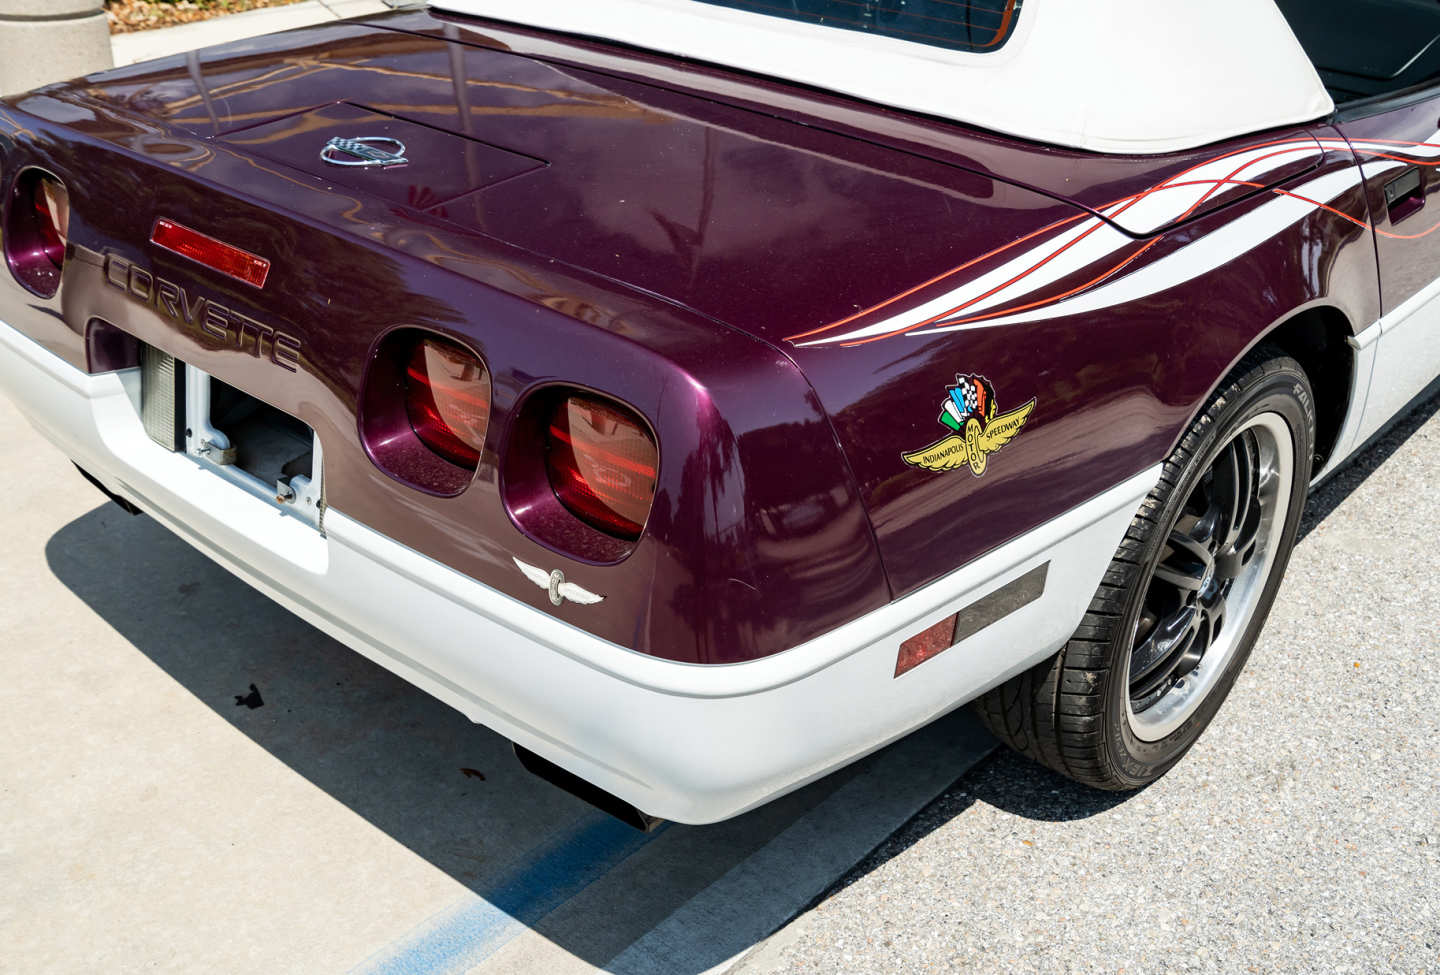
[{"x": 202, "y": 315}]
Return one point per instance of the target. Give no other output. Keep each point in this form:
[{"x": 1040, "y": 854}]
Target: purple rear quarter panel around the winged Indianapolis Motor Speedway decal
[{"x": 1115, "y": 387}]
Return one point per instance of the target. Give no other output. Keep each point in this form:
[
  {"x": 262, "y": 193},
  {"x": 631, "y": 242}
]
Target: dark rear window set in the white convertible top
[{"x": 955, "y": 25}]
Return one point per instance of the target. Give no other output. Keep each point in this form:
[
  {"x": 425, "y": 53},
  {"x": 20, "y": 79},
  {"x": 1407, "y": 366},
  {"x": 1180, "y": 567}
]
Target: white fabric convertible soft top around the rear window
[{"x": 1137, "y": 77}]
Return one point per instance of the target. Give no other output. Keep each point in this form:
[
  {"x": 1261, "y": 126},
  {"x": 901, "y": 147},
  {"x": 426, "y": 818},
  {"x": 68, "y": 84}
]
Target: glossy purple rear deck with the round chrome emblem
[{"x": 770, "y": 223}]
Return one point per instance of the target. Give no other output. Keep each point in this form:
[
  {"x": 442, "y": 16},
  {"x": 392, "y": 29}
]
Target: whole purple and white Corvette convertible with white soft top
[{"x": 703, "y": 394}]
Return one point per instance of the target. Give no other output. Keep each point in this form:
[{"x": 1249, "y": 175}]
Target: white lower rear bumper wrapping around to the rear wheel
[{"x": 682, "y": 742}]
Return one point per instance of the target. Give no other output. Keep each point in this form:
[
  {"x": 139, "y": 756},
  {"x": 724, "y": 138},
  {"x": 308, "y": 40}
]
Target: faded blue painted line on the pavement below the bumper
[{"x": 467, "y": 934}]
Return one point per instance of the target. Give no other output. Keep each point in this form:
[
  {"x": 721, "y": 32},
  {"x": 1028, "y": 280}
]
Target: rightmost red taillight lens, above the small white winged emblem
[{"x": 601, "y": 460}]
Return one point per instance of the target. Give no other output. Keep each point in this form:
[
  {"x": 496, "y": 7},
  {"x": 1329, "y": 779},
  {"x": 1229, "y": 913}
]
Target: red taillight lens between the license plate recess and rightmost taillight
[{"x": 447, "y": 397}]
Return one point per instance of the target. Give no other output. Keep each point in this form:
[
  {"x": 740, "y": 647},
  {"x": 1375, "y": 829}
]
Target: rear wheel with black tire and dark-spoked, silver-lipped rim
[{"x": 1184, "y": 598}]
